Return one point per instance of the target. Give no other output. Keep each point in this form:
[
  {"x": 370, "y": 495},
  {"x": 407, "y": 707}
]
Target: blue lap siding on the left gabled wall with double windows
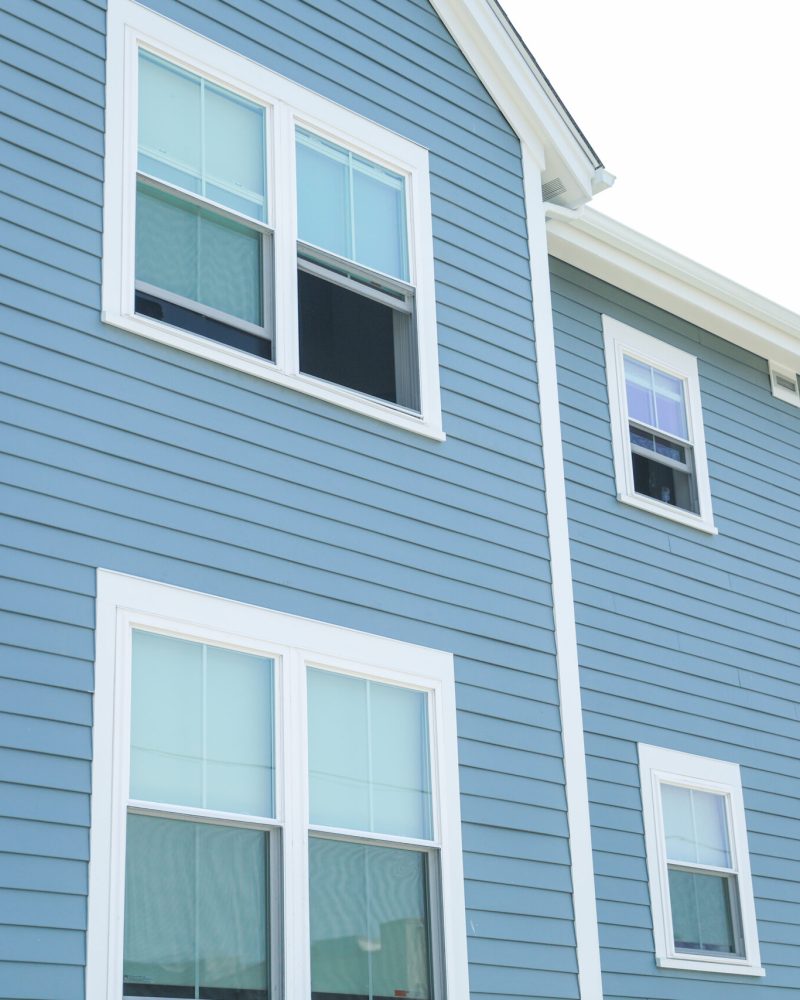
[{"x": 120, "y": 453}]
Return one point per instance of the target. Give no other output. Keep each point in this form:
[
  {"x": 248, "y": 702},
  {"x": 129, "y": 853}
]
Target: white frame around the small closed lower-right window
[{"x": 659, "y": 766}]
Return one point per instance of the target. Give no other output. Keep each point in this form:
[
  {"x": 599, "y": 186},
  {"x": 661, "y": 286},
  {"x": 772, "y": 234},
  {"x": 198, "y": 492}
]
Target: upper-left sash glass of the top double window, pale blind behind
[{"x": 201, "y": 137}]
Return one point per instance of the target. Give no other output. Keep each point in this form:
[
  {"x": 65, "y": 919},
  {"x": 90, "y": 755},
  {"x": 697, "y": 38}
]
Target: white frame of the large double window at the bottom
[{"x": 125, "y": 603}]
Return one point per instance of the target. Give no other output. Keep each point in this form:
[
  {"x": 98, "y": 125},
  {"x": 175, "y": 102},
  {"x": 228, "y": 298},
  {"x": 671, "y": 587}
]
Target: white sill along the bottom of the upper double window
[{"x": 202, "y": 347}]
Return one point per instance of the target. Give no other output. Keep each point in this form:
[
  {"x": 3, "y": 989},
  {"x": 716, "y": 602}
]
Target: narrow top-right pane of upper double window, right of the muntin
[{"x": 379, "y": 219}]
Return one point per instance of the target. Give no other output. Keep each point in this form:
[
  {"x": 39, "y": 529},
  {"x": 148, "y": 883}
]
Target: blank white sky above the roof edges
[{"x": 695, "y": 106}]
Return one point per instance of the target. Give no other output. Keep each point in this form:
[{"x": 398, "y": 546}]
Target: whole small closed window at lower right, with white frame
[{"x": 698, "y": 864}]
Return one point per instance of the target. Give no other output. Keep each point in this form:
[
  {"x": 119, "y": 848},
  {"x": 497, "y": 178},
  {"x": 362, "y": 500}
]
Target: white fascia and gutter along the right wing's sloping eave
[{"x": 633, "y": 262}]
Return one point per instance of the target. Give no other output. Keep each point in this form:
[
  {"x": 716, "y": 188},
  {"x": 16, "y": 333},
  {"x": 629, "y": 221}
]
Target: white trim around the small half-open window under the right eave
[{"x": 620, "y": 341}]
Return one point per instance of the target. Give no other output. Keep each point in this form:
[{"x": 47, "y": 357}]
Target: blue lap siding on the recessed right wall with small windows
[{"x": 686, "y": 641}]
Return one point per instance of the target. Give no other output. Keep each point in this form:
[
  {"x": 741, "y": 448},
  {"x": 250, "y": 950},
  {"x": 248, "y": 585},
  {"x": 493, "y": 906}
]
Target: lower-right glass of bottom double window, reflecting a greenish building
[{"x": 370, "y": 933}]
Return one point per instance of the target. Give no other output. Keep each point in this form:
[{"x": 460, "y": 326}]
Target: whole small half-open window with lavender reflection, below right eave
[{"x": 657, "y": 426}]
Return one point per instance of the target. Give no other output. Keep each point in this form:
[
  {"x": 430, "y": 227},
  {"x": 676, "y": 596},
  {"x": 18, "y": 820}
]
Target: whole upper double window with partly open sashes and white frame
[{"x": 254, "y": 222}]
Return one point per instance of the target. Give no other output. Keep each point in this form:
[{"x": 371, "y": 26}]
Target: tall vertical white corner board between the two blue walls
[{"x": 577, "y": 790}]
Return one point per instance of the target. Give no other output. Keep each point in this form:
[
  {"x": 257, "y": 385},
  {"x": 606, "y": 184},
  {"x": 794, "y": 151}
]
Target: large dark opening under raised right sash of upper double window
[{"x": 354, "y": 341}]
